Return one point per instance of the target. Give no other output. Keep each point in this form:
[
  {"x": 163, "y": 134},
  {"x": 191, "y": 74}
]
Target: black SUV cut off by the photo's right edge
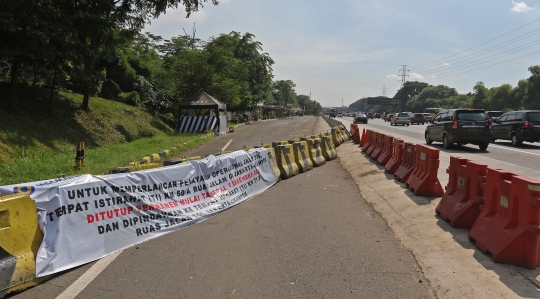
[{"x": 518, "y": 126}]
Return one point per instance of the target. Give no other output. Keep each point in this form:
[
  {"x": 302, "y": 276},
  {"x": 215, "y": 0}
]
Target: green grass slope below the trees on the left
[{"x": 38, "y": 140}]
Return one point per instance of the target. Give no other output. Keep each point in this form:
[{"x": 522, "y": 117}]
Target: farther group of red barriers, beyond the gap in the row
[{"x": 414, "y": 165}]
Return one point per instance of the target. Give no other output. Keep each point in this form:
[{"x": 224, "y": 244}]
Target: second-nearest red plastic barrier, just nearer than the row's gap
[{"x": 464, "y": 194}]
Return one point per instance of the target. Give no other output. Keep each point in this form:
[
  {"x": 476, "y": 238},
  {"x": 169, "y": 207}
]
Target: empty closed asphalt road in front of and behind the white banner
[{"x": 311, "y": 236}]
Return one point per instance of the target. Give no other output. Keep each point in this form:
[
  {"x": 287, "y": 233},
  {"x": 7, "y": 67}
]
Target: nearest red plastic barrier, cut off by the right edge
[{"x": 509, "y": 224}]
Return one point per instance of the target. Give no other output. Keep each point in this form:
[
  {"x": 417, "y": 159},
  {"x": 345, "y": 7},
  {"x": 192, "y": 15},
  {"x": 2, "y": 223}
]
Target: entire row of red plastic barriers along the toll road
[{"x": 501, "y": 209}]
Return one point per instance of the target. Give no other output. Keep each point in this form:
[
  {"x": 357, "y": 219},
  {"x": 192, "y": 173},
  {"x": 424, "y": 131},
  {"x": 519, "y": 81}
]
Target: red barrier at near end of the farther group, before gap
[{"x": 424, "y": 180}]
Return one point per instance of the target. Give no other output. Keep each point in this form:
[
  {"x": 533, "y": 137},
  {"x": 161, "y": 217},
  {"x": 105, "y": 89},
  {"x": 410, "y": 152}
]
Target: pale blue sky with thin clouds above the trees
[{"x": 349, "y": 49}]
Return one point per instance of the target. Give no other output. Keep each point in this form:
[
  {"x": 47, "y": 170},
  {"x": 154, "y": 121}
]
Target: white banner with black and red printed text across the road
[{"x": 87, "y": 221}]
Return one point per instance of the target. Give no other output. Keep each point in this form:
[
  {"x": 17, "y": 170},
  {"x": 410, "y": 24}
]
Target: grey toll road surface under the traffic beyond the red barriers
[{"x": 523, "y": 160}]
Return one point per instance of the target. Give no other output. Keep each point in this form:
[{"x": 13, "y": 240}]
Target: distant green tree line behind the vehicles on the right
[{"x": 416, "y": 96}]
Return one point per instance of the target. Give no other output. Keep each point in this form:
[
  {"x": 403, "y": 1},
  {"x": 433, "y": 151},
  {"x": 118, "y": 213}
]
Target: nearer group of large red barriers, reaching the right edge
[{"x": 501, "y": 209}]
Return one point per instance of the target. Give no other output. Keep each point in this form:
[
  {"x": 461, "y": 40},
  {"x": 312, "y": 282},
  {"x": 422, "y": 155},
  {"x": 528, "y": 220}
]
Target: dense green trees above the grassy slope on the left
[{"x": 96, "y": 48}]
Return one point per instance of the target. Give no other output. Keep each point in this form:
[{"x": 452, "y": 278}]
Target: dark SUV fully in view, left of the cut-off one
[{"x": 460, "y": 126}]
